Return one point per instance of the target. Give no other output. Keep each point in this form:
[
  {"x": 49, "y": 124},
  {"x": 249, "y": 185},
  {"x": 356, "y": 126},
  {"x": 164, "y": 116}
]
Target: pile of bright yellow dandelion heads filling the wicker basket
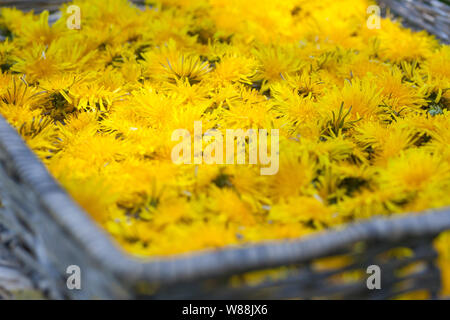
[{"x": 363, "y": 115}]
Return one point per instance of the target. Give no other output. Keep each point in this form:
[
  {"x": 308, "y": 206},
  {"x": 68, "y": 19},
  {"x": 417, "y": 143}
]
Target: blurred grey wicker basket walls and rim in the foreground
[{"x": 46, "y": 232}]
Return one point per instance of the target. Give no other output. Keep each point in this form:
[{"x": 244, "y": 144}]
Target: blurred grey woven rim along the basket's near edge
[{"x": 227, "y": 260}]
